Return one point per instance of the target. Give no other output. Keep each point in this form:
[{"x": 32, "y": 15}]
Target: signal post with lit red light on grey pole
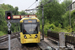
[{"x": 8, "y": 16}]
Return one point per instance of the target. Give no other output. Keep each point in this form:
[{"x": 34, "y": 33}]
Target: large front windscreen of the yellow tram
[{"x": 30, "y": 29}]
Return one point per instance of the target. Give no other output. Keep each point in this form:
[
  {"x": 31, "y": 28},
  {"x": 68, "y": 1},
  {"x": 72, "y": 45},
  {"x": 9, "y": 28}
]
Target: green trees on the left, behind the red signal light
[{"x": 3, "y": 23}]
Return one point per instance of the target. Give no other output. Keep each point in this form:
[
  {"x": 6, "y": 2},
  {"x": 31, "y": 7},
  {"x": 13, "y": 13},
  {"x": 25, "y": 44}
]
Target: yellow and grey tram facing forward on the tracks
[{"x": 30, "y": 32}]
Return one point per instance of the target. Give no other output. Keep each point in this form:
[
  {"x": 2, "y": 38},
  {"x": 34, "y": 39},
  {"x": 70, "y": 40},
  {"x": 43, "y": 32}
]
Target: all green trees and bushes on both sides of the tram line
[{"x": 55, "y": 15}]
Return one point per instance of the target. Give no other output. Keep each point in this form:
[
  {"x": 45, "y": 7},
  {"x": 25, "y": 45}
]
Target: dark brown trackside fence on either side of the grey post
[{"x": 68, "y": 38}]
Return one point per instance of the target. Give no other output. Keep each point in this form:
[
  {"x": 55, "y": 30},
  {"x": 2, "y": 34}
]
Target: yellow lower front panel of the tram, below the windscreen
[{"x": 30, "y": 38}]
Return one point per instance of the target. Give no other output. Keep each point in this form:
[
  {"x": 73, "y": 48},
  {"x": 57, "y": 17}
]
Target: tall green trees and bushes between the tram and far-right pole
[{"x": 56, "y": 17}]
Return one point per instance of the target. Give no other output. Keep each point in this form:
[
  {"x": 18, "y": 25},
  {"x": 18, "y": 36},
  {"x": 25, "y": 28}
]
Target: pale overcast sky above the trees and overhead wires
[{"x": 22, "y": 4}]
